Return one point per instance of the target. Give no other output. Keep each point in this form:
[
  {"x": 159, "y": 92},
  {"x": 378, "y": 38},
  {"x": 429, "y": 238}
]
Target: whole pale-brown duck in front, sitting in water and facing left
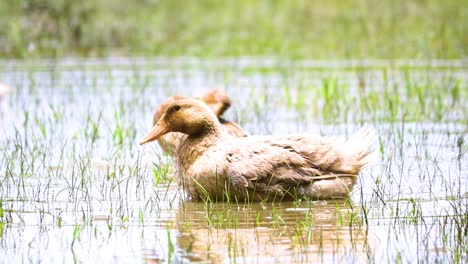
[{"x": 212, "y": 164}]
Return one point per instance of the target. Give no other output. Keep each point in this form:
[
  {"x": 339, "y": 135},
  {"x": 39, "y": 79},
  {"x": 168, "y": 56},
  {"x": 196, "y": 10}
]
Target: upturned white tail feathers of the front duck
[{"x": 359, "y": 151}]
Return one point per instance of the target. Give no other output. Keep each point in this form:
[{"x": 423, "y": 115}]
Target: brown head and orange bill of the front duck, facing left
[{"x": 188, "y": 116}]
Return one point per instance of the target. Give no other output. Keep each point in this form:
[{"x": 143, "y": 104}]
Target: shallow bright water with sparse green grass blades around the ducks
[{"x": 76, "y": 186}]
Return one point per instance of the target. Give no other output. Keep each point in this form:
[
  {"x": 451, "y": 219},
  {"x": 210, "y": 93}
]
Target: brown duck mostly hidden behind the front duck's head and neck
[{"x": 216, "y": 99}]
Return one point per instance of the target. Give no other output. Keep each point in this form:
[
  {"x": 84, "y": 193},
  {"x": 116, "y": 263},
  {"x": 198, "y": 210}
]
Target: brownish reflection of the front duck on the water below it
[{"x": 290, "y": 232}]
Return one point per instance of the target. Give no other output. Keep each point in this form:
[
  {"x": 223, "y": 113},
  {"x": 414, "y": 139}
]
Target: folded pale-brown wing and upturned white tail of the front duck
[{"x": 277, "y": 163}]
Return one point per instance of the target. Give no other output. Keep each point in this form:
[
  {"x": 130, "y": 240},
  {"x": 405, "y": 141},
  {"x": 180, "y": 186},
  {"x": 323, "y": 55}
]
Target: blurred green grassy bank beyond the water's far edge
[{"x": 324, "y": 29}]
